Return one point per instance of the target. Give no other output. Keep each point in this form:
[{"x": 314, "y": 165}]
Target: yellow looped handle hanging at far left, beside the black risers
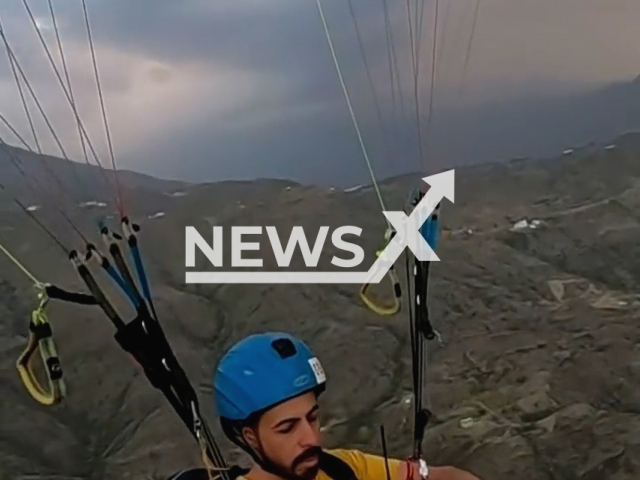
[{"x": 40, "y": 338}]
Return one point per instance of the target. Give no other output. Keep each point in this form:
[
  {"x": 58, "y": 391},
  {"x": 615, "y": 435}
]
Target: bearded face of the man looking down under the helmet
[{"x": 289, "y": 437}]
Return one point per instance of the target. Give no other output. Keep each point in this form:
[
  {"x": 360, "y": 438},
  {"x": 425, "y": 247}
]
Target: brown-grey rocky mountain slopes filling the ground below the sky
[{"x": 537, "y": 375}]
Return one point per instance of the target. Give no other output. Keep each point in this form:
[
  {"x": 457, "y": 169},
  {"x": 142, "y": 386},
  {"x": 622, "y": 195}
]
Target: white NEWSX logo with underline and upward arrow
[{"x": 407, "y": 234}]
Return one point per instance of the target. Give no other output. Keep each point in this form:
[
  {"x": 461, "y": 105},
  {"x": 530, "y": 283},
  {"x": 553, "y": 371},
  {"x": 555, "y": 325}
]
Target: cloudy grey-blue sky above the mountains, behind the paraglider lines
[{"x": 217, "y": 89}]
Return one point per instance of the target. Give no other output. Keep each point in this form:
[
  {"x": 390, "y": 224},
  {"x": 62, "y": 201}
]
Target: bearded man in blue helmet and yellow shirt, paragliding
[{"x": 266, "y": 389}]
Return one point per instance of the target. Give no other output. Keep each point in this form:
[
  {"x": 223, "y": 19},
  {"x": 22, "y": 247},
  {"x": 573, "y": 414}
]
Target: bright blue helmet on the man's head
[{"x": 262, "y": 371}]
